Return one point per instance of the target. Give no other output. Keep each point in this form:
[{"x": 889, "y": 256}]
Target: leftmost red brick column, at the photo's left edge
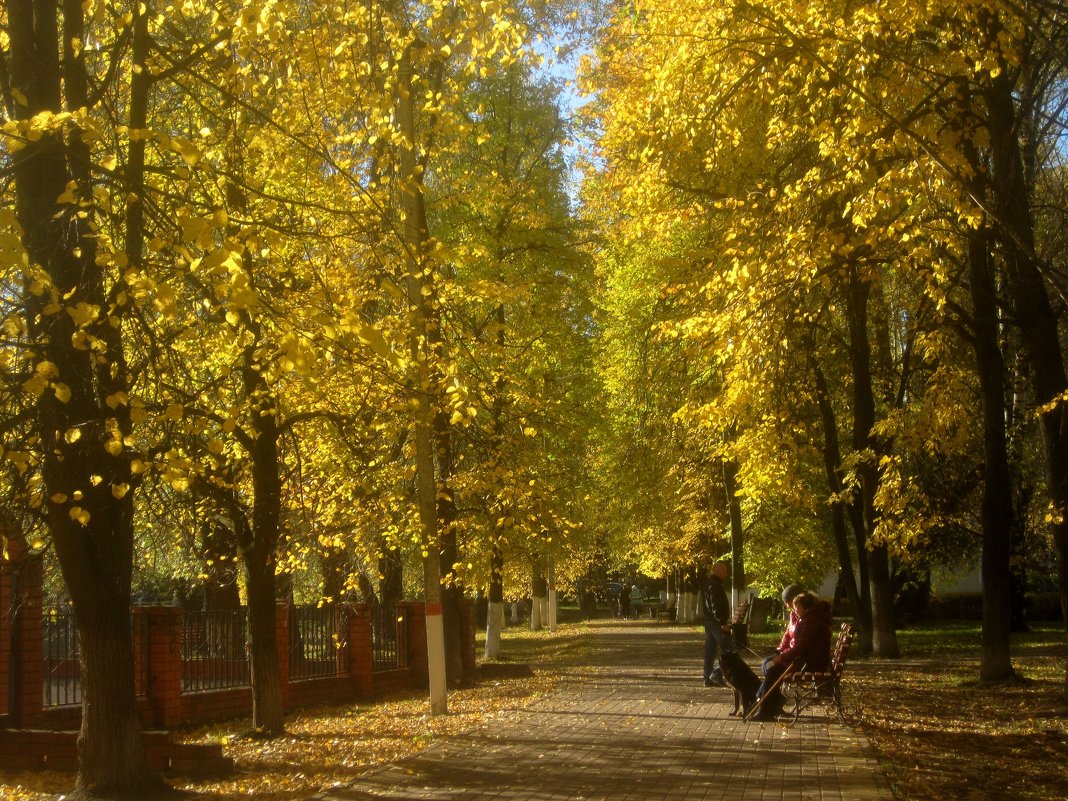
[{"x": 27, "y": 662}]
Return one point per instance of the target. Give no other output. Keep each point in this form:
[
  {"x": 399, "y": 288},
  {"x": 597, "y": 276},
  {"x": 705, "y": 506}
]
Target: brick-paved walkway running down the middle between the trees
[{"x": 637, "y": 727}]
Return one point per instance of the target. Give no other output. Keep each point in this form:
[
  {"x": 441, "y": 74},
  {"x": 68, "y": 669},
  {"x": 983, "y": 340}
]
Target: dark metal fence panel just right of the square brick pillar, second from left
[{"x": 214, "y": 656}]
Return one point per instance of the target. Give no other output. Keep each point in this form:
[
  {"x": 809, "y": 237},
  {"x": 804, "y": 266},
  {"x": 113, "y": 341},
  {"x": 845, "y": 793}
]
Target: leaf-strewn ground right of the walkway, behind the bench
[{"x": 943, "y": 736}]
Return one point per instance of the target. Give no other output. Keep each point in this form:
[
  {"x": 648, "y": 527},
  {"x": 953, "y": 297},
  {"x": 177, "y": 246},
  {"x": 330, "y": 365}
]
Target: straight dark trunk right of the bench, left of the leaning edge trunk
[{"x": 997, "y": 509}]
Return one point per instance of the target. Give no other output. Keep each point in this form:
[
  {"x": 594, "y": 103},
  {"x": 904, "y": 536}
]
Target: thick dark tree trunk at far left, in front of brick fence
[{"x": 93, "y": 536}]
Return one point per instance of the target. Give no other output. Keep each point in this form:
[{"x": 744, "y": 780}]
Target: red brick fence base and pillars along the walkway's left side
[{"x": 36, "y": 736}]
